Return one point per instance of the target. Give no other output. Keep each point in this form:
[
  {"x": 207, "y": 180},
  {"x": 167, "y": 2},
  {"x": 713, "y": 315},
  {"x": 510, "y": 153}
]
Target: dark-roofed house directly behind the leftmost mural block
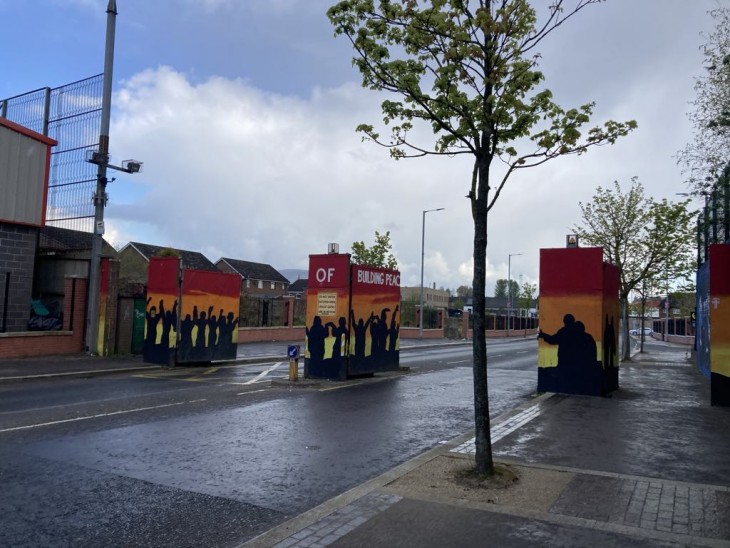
[{"x": 134, "y": 261}]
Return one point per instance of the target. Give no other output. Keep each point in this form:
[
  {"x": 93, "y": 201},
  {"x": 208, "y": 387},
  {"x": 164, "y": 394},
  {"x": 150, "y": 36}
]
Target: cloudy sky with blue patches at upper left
[{"x": 244, "y": 114}]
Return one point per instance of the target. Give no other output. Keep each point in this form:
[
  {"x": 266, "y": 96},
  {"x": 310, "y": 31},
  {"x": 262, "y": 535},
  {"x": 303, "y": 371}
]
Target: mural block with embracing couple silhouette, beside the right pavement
[{"x": 573, "y": 324}]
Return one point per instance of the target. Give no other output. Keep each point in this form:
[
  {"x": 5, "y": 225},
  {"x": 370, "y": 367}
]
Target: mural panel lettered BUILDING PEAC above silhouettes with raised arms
[{"x": 375, "y": 320}]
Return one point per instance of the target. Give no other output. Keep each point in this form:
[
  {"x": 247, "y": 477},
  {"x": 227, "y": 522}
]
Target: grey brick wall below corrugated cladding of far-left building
[{"x": 17, "y": 256}]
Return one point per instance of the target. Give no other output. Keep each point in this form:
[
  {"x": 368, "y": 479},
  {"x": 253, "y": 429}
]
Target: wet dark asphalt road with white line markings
[{"x": 216, "y": 456}]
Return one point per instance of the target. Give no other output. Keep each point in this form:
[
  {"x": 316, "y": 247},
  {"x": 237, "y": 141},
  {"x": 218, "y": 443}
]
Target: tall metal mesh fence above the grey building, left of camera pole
[{"x": 70, "y": 114}]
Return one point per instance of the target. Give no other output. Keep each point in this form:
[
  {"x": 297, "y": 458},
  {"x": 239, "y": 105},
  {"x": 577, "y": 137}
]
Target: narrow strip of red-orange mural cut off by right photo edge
[{"x": 720, "y": 323}]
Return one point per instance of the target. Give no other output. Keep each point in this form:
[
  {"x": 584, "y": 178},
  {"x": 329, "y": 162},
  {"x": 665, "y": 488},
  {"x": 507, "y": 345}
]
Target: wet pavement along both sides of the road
[{"x": 647, "y": 466}]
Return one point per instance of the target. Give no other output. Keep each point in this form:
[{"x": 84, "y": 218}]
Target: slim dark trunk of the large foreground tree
[{"x": 484, "y": 461}]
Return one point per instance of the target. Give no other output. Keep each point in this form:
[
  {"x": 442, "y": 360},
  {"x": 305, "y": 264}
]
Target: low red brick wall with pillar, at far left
[{"x": 26, "y": 344}]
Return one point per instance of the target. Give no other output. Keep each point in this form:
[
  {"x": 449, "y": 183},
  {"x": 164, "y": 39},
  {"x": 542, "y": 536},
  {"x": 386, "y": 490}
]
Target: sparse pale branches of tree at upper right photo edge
[{"x": 704, "y": 158}]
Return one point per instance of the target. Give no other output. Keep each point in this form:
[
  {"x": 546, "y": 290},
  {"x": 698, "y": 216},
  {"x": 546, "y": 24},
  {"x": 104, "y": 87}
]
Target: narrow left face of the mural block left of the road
[{"x": 161, "y": 310}]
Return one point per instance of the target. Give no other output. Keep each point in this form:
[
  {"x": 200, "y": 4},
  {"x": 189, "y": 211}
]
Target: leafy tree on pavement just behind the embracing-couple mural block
[{"x": 651, "y": 243}]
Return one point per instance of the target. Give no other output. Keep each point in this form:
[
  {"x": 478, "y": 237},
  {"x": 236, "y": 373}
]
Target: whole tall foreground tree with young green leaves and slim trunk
[{"x": 468, "y": 70}]
